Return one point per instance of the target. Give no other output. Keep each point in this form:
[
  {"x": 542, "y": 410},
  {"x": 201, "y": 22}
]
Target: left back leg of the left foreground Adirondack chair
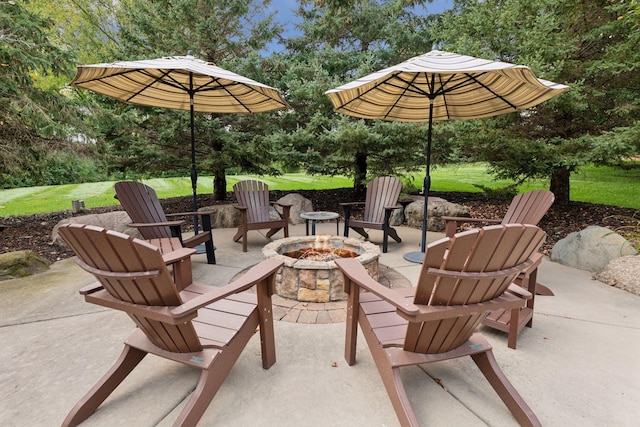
[{"x": 127, "y": 361}]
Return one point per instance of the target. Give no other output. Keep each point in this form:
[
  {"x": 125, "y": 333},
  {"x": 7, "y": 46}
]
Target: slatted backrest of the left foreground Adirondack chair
[{"x": 133, "y": 271}]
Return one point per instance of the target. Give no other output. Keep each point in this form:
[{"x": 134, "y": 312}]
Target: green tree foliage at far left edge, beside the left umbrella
[{"x": 36, "y": 120}]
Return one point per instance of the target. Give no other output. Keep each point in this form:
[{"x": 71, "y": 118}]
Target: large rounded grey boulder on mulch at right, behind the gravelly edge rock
[{"x": 591, "y": 249}]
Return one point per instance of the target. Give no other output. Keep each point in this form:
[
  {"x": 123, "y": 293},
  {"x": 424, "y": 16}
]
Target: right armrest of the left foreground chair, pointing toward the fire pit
[{"x": 255, "y": 275}]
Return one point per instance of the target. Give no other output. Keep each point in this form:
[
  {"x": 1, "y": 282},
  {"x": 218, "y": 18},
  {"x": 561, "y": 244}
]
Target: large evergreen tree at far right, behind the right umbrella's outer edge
[{"x": 590, "y": 45}]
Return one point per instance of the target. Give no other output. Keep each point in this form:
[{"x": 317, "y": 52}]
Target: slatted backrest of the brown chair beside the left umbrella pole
[{"x": 143, "y": 206}]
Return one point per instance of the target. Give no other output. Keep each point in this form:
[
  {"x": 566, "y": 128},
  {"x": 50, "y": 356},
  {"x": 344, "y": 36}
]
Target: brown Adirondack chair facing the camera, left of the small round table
[{"x": 254, "y": 204}]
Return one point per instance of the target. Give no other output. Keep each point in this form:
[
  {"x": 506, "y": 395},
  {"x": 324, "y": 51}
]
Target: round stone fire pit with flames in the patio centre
[{"x": 303, "y": 278}]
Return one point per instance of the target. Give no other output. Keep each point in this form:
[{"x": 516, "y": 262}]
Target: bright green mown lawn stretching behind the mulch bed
[{"x": 602, "y": 185}]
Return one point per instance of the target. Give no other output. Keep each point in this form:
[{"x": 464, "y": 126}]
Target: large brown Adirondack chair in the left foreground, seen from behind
[{"x": 201, "y": 326}]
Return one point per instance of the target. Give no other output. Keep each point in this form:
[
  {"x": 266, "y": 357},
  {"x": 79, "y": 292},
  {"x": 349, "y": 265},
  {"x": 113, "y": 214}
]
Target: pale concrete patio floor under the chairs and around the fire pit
[{"x": 578, "y": 365}]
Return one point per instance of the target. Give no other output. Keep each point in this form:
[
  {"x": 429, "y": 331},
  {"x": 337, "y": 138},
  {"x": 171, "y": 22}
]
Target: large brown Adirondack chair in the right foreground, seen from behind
[{"x": 463, "y": 278}]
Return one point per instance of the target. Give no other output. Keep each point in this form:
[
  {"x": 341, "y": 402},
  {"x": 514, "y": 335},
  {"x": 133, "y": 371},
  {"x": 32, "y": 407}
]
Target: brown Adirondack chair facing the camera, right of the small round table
[{"x": 381, "y": 200}]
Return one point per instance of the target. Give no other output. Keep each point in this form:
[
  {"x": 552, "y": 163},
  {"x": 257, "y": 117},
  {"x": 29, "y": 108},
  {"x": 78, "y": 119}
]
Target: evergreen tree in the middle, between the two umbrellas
[{"x": 340, "y": 42}]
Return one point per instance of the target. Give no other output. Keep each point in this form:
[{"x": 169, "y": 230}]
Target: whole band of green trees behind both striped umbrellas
[{"x": 51, "y": 133}]
